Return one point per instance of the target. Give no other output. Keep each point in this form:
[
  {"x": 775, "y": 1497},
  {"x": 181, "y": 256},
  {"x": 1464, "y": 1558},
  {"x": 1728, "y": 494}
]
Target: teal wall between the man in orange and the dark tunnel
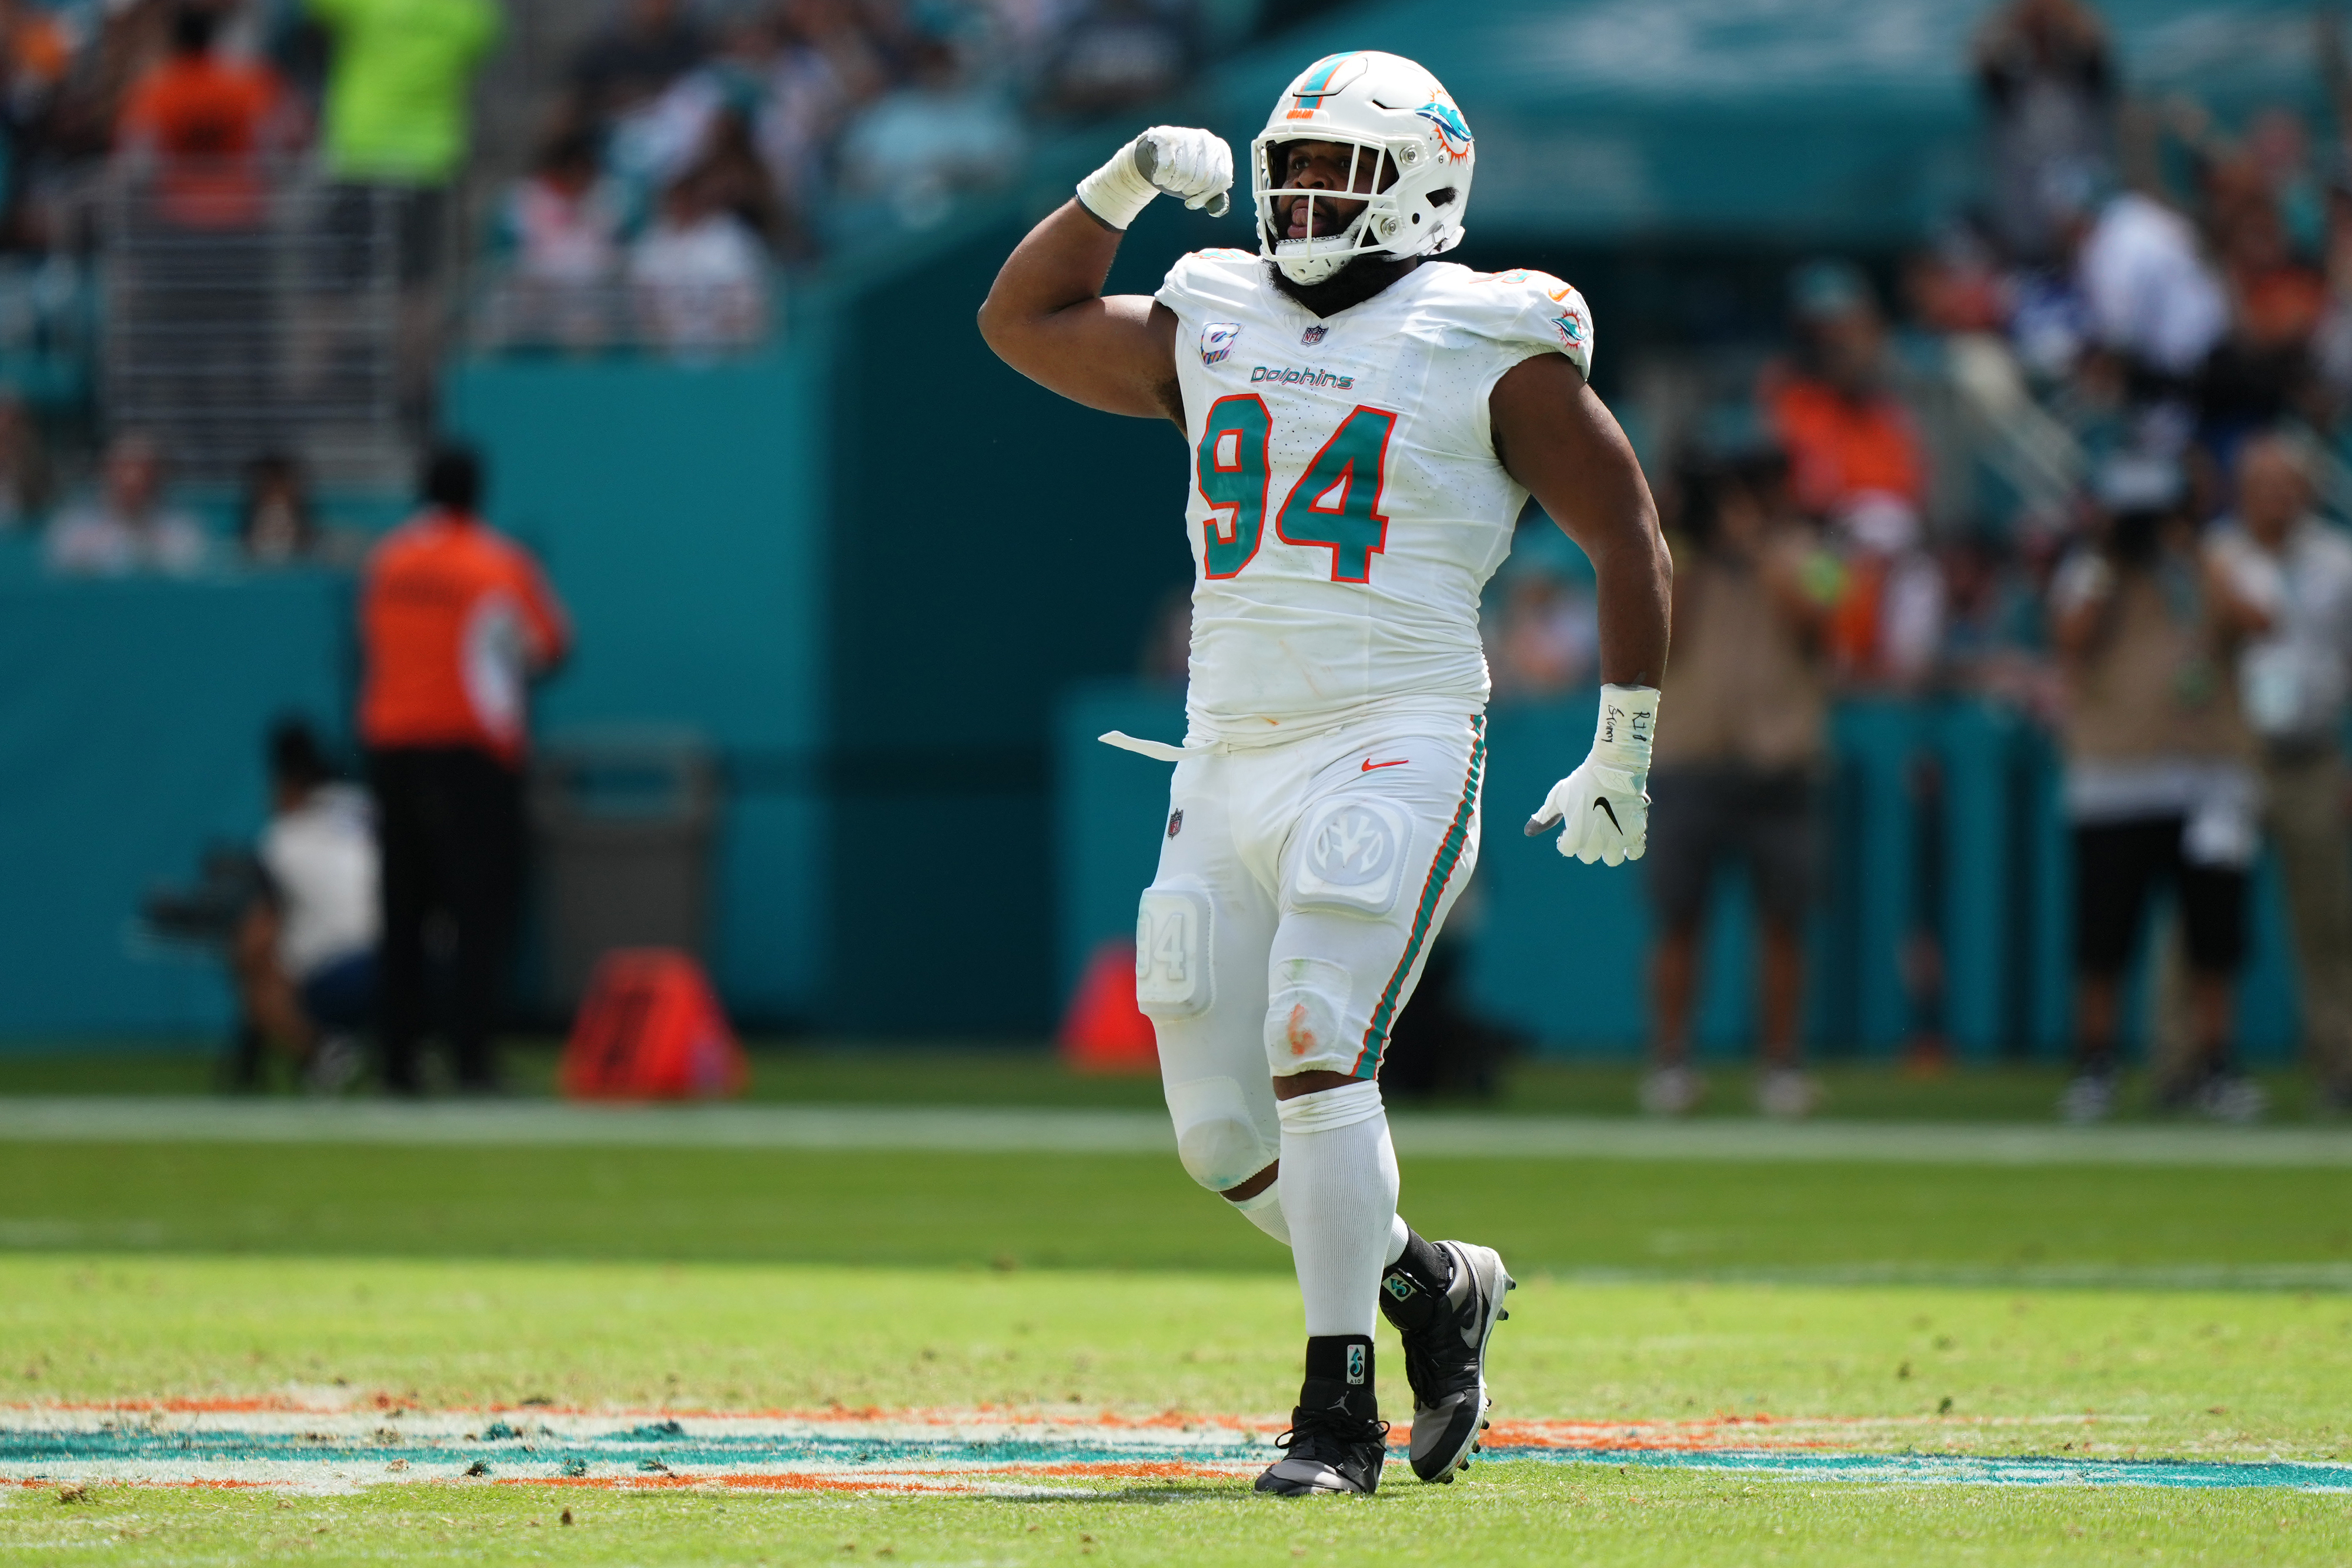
[{"x": 681, "y": 511}]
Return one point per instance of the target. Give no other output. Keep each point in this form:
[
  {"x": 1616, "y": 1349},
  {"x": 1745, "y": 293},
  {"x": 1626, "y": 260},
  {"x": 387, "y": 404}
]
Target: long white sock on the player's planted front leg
[{"x": 1339, "y": 1195}]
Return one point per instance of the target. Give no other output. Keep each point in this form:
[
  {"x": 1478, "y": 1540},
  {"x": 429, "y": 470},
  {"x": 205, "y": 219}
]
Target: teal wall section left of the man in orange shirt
[{"x": 131, "y": 737}]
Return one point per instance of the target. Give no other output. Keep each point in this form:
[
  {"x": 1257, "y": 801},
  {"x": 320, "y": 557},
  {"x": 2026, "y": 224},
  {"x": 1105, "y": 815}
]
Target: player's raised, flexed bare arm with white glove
[{"x": 1048, "y": 316}]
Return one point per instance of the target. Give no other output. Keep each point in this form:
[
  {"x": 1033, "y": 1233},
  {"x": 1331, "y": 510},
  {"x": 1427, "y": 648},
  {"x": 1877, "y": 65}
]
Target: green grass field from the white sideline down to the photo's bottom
[{"x": 2094, "y": 1313}]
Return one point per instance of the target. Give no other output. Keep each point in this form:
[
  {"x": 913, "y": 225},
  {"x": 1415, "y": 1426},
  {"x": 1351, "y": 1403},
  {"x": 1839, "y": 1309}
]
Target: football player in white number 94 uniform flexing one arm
[{"x": 1363, "y": 429}]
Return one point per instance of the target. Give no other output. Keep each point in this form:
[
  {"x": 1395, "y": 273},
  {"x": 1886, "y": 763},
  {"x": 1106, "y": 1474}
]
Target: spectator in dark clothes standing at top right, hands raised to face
[{"x": 2050, "y": 83}]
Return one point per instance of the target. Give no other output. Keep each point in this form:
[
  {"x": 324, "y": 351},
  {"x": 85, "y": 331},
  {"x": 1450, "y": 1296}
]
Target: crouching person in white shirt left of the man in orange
[{"x": 307, "y": 953}]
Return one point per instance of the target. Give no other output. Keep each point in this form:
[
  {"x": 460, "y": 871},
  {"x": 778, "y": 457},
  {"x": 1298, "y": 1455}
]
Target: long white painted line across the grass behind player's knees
[{"x": 1118, "y": 1132}]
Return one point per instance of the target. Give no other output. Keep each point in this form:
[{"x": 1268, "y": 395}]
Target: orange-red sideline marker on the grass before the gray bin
[{"x": 653, "y": 1031}]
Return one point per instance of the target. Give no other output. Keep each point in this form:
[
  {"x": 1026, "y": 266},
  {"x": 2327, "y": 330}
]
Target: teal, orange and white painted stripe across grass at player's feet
[{"x": 131, "y": 1454}]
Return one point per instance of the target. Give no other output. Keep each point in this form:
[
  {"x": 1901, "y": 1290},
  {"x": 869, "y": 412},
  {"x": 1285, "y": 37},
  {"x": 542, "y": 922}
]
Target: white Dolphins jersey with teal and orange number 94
[{"x": 1347, "y": 507}]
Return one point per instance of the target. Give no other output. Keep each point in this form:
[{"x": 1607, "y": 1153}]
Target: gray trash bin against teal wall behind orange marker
[{"x": 624, "y": 822}]
